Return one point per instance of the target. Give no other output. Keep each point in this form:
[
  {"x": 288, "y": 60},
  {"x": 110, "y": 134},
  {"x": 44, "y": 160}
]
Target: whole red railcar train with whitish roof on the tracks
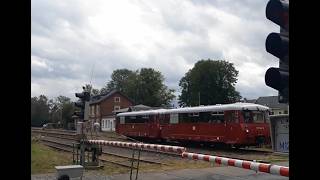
[{"x": 236, "y": 124}]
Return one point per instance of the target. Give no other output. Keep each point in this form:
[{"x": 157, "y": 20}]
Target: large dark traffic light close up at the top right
[{"x": 277, "y": 44}]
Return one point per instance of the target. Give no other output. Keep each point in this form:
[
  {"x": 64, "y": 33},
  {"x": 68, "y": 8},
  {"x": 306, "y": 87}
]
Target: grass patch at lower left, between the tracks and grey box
[{"x": 44, "y": 159}]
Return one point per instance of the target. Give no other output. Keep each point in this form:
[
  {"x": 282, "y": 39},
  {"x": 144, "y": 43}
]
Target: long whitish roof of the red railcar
[{"x": 222, "y": 107}]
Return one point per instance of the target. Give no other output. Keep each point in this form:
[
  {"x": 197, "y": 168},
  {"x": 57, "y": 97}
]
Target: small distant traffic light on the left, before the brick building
[{"x": 83, "y": 105}]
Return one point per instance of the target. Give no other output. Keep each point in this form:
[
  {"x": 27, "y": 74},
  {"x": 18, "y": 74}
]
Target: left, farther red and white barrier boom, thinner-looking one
[{"x": 164, "y": 148}]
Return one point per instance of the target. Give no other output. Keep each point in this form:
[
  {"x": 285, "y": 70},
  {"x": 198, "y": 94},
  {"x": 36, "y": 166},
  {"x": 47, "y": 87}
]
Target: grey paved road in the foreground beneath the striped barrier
[{"x": 216, "y": 173}]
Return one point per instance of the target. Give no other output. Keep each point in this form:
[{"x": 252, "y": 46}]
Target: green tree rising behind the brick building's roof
[{"x": 144, "y": 86}]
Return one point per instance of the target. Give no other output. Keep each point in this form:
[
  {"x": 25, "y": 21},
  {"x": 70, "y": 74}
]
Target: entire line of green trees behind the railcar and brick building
[{"x": 208, "y": 82}]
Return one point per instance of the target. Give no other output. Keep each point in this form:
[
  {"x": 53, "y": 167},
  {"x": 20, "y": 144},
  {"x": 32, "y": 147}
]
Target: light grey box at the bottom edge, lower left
[{"x": 73, "y": 171}]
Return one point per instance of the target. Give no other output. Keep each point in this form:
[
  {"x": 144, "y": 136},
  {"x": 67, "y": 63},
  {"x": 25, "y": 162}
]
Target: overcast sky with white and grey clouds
[{"x": 75, "y": 42}]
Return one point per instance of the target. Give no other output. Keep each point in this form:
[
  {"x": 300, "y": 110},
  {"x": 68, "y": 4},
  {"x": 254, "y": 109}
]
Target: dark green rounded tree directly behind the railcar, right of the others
[{"x": 211, "y": 82}]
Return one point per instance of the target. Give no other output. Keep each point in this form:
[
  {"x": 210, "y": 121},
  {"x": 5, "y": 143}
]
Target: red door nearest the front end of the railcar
[{"x": 232, "y": 127}]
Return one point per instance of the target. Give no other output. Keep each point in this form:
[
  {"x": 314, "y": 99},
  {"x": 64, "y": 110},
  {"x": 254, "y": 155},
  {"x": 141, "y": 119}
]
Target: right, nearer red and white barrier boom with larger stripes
[{"x": 262, "y": 167}]
